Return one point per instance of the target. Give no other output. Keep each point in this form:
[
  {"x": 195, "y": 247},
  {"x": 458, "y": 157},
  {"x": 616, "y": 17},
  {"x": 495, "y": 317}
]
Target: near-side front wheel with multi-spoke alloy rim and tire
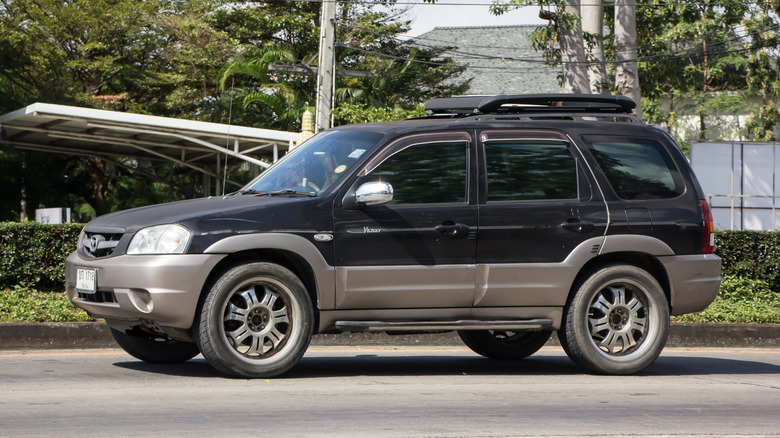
[{"x": 256, "y": 321}]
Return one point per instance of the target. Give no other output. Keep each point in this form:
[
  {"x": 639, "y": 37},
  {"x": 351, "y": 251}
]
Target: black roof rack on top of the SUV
[{"x": 514, "y": 103}]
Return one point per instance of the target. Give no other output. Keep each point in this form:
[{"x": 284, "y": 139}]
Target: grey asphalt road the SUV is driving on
[{"x": 403, "y": 391}]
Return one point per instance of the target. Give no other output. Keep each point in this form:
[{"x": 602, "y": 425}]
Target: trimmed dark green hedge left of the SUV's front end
[{"x": 33, "y": 254}]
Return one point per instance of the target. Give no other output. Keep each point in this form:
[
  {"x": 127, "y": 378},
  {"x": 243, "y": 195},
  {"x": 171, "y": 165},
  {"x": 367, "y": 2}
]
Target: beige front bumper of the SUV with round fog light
[{"x": 162, "y": 289}]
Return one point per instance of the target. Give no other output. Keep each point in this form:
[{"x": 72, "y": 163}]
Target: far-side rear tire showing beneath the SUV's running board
[{"x": 504, "y": 345}]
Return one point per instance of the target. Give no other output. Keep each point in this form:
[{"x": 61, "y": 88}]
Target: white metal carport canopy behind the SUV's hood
[{"x": 99, "y": 133}]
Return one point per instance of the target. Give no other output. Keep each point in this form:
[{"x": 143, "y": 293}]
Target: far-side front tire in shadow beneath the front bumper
[{"x": 155, "y": 350}]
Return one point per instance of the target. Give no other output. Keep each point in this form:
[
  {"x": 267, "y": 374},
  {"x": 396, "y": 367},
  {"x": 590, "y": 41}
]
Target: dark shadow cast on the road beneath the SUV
[{"x": 439, "y": 365}]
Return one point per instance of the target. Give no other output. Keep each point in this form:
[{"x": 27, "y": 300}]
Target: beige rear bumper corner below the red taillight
[{"x": 694, "y": 281}]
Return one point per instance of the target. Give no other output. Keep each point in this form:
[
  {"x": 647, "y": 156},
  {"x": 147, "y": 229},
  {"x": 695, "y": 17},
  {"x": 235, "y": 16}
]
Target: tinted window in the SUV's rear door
[{"x": 525, "y": 171}]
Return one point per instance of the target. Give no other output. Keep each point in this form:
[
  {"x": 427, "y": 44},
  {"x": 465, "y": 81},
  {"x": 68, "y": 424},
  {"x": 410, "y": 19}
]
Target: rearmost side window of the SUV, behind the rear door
[{"x": 637, "y": 168}]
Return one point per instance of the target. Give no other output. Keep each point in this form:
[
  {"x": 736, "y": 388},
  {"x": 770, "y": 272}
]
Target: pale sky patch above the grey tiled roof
[{"x": 425, "y": 16}]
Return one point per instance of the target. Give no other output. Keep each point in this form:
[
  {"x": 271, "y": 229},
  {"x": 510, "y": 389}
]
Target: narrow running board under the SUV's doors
[{"x": 382, "y": 326}]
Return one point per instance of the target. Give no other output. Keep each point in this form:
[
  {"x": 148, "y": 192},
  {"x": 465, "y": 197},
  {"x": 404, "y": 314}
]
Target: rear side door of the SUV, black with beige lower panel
[{"x": 538, "y": 202}]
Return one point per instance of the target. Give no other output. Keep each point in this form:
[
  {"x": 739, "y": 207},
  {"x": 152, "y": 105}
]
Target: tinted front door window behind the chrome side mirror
[{"x": 426, "y": 173}]
